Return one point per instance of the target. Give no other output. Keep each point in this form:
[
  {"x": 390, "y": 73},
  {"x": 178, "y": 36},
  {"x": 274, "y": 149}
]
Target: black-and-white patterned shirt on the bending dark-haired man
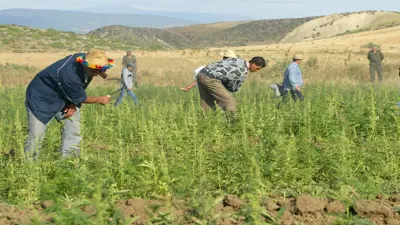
[{"x": 231, "y": 72}]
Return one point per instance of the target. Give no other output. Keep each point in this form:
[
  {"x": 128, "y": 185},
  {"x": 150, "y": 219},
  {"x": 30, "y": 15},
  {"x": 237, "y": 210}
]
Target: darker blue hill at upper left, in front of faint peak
[{"x": 83, "y": 22}]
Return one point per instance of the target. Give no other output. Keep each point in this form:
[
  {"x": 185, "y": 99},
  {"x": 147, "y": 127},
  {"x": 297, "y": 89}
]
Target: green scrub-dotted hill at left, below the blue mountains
[{"x": 25, "y": 39}]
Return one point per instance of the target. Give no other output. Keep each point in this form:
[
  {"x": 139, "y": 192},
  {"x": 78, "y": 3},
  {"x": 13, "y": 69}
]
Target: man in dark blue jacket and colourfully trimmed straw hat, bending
[{"x": 58, "y": 92}]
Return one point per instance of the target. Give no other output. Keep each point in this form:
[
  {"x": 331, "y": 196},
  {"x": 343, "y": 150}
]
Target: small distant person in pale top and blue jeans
[{"x": 128, "y": 78}]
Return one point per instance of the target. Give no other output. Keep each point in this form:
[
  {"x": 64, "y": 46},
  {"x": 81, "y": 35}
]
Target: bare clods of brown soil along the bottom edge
[{"x": 305, "y": 209}]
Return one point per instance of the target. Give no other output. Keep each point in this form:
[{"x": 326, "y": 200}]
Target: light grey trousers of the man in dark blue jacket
[{"x": 70, "y": 135}]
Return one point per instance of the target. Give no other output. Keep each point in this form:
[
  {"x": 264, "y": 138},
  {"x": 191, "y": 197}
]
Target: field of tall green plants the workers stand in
[{"x": 343, "y": 142}]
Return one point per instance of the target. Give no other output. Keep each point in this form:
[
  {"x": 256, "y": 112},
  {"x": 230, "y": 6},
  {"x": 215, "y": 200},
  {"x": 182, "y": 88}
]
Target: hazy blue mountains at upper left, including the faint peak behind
[{"x": 85, "y": 20}]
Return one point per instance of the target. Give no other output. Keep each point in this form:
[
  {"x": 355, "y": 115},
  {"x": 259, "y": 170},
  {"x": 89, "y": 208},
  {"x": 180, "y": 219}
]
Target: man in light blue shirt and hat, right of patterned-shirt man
[{"x": 293, "y": 80}]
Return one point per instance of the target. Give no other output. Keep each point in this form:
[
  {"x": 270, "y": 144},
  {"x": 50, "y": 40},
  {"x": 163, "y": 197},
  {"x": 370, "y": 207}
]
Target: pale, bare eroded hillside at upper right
[{"x": 341, "y": 24}]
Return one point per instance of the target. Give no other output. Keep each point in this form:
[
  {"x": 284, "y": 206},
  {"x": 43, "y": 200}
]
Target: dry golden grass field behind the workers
[{"x": 174, "y": 68}]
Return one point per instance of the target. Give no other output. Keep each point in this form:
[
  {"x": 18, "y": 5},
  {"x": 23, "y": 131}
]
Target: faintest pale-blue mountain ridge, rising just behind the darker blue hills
[{"x": 192, "y": 16}]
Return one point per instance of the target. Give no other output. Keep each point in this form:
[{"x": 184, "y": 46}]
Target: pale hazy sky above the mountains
[{"x": 255, "y": 8}]
